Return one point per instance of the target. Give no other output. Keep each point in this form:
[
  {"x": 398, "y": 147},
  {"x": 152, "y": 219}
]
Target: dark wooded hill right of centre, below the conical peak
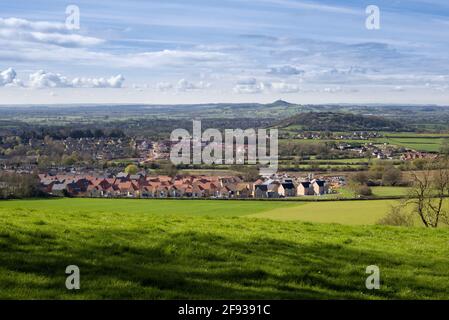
[{"x": 331, "y": 121}]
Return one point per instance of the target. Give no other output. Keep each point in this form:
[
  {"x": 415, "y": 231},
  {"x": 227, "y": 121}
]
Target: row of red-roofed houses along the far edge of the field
[{"x": 142, "y": 186}]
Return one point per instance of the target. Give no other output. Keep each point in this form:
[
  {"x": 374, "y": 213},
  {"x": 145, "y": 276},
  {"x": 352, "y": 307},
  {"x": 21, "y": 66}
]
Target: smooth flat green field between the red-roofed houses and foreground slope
[{"x": 345, "y": 212}]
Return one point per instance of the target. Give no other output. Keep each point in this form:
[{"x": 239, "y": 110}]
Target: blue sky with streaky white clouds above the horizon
[{"x": 202, "y": 51}]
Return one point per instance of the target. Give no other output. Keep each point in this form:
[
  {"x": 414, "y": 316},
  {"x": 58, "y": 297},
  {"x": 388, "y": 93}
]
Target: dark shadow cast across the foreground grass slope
[{"x": 202, "y": 265}]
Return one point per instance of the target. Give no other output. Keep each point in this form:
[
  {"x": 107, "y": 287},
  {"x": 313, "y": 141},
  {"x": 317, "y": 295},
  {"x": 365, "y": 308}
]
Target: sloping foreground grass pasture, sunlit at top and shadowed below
[{"x": 137, "y": 255}]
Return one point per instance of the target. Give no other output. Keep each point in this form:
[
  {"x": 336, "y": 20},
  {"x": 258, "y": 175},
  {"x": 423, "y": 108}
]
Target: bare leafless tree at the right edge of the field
[{"x": 429, "y": 193}]
